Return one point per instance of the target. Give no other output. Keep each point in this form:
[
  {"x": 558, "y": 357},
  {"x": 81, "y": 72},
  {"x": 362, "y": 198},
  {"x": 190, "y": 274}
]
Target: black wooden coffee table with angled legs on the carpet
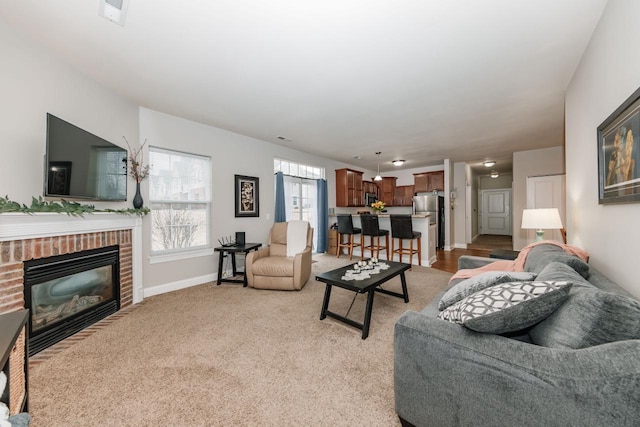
[{"x": 370, "y": 286}]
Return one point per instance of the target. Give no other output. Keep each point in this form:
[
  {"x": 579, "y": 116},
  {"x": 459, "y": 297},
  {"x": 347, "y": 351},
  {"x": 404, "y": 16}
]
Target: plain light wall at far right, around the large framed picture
[{"x": 607, "y": 75}]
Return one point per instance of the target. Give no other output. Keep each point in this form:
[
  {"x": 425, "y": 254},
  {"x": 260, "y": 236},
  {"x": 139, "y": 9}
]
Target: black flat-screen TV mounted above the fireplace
[{"x": 81, "y": 165}]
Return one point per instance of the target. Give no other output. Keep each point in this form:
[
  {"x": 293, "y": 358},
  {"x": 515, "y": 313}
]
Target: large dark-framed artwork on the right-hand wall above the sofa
[{"x": 619, "y": 154}]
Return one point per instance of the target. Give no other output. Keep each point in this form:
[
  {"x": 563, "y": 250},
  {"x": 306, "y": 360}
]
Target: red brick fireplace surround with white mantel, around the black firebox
[{"x": 28, "y": 237}]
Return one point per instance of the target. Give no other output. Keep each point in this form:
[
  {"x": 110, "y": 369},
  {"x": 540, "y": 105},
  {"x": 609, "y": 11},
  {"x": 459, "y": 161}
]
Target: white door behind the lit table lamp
[{"x": 546, "y": 192}]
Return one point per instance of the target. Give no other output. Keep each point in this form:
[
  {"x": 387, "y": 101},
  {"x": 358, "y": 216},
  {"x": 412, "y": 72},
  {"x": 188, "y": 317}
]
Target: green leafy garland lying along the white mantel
[{"x": 70, "y": 208}]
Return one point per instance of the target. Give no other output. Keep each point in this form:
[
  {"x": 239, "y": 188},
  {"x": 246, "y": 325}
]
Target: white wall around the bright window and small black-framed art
[{"x": 231, "y": 154}]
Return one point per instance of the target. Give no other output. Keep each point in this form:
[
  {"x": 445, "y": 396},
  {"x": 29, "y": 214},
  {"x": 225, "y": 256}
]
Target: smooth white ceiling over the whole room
[{"x": 466, "y": 80}]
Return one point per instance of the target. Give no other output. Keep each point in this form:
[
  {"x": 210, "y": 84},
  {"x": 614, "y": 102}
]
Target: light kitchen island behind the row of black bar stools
[{"x": 420, "y": 222}]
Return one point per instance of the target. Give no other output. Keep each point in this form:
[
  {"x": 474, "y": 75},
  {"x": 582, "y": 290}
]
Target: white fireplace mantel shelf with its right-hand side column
[{"x": 18, "y": 226}]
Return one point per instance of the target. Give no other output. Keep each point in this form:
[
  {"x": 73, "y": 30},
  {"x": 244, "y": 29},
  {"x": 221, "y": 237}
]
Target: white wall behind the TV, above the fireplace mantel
[{"x": 35, "y": 83}]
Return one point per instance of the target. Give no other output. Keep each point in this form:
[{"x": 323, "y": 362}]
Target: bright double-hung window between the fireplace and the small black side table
[{"x": 180, "y": 202}]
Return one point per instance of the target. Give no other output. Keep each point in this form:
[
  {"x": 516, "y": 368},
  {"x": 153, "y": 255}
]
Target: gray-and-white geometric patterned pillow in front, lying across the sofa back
[{"x": 508, "y": 307}]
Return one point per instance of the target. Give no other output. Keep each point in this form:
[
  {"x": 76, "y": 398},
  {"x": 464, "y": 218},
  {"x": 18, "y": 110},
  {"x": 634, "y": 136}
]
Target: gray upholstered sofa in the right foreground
[{"x": 580, "y": 366}]
